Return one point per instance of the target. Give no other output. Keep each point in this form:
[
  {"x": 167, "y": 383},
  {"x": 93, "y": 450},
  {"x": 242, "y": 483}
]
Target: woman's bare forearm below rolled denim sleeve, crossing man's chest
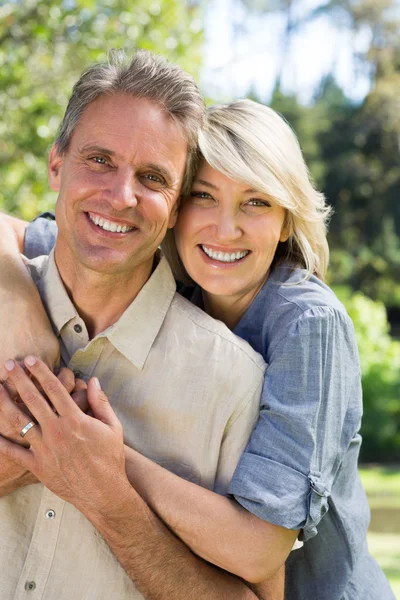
[{"x": 214, "y": 527}]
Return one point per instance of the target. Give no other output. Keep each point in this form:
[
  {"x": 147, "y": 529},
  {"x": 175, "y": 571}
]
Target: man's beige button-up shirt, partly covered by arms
[{"x": 187, "y": 393}]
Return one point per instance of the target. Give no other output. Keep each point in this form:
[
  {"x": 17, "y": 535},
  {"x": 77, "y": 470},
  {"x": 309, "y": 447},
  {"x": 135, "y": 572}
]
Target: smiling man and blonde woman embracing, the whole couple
[{"x": 195, "y": 445}]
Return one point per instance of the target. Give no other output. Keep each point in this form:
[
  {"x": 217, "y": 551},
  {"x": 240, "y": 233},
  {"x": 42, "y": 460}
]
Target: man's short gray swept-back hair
[{"x": 146, "y": 75}]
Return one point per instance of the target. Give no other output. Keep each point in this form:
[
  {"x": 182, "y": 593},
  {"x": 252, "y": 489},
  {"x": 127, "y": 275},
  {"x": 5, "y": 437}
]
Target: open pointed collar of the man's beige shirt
[{"x": 134, "y": 333}]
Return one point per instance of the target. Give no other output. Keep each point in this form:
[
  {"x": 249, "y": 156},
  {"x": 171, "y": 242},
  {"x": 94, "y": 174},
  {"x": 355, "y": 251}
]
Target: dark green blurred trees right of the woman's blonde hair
[{"x": 354, "y": 156}]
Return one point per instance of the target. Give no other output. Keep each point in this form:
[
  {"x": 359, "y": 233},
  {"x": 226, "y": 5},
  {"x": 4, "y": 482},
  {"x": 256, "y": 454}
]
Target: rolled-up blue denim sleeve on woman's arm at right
[{"x": 311, "y": 409}]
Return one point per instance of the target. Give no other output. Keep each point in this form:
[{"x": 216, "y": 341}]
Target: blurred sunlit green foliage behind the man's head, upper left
[{"x": 44, "y": 46}]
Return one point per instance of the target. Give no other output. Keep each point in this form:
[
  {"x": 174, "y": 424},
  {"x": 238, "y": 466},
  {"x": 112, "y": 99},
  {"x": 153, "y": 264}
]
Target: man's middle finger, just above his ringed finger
[{"x": 28, "y": 392}]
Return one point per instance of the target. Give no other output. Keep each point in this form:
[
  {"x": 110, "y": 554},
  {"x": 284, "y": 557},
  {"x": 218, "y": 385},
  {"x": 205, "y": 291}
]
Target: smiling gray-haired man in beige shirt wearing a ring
[{"x": 123, "y": 156}]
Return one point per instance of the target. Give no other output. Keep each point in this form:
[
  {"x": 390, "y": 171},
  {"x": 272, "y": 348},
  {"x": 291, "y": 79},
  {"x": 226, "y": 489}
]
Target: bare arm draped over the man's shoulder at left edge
[{"x": 24, "y": 326}]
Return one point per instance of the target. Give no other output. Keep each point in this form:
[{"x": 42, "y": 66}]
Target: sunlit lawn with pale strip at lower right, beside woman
[{"x": 382, "y": 485}]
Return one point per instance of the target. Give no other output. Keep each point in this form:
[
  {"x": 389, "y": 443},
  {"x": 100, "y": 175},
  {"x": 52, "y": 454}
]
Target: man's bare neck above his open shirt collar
[{"x": 99, "y": 298}]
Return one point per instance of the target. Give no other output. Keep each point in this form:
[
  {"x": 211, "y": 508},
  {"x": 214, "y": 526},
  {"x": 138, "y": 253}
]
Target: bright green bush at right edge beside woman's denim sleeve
[{"x": 380, "y": 367}]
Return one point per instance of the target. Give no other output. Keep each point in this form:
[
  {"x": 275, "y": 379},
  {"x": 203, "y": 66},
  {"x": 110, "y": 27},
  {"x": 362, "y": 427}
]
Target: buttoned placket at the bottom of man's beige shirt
[{"x": 42, "y": 548}]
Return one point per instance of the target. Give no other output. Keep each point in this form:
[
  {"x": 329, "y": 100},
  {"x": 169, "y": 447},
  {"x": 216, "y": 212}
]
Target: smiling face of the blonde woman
[{"x": 227, "y": 234}]
